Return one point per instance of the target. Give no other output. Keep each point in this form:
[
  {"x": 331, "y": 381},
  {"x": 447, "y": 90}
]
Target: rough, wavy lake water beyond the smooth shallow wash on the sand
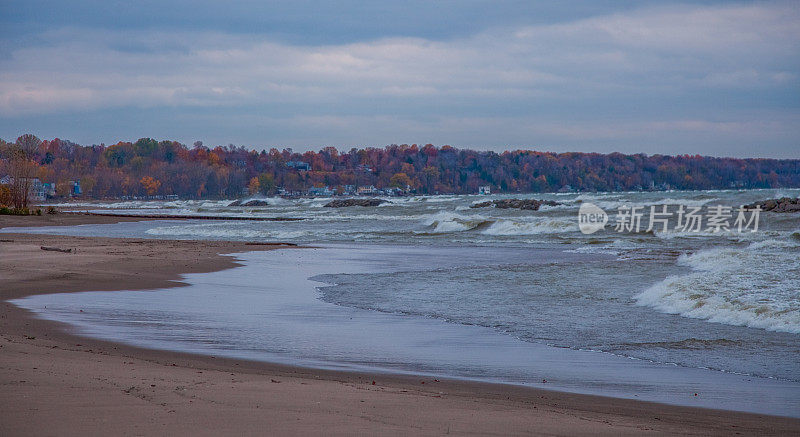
[{"x": 727, "y": 301}]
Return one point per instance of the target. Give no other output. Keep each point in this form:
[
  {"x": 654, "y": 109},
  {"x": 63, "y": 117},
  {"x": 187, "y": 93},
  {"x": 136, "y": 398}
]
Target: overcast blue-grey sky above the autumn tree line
[{"x": 715, "y": 78}]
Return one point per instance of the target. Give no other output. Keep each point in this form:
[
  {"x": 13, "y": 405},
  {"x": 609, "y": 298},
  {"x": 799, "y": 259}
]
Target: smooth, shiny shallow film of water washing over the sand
[{"x": 303, "y": 330}]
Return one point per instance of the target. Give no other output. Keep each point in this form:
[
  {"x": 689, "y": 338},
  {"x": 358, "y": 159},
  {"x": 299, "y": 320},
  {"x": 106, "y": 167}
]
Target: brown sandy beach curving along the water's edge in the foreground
[{"x": 55, "y": 383}]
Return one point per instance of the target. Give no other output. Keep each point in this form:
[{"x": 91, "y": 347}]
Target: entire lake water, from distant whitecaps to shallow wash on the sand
[{"x": 430, "y": 285}]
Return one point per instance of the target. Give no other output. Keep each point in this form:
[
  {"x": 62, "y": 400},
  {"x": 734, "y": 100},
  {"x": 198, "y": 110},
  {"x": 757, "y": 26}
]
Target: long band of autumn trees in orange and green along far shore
[{"x": 147, "y": 167}]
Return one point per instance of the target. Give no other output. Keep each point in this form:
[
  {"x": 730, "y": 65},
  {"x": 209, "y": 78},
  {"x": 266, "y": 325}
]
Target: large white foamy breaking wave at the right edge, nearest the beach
[{"x": 757, "y": 285}]
